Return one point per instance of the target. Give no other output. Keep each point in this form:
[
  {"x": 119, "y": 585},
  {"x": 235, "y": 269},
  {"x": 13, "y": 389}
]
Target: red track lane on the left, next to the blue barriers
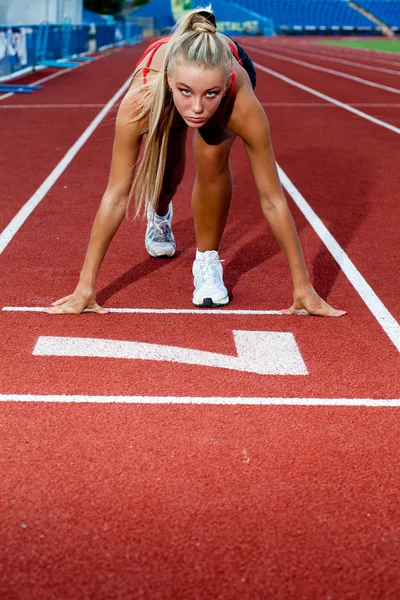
[{"x": 44, "y": 136}]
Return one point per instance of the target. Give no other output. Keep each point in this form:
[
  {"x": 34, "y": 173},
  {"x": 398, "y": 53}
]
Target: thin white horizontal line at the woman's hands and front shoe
[{"x": 159, "y": 311}]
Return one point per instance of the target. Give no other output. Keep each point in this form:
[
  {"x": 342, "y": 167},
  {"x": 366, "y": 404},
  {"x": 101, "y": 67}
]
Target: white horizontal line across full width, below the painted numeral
[{"x": 228, "y": 401}]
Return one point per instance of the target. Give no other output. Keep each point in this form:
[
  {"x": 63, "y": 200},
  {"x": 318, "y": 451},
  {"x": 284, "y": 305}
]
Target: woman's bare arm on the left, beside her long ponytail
[{"x": 112, "y": 208}]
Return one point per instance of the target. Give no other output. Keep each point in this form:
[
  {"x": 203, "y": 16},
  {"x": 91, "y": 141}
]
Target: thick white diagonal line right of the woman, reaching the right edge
[{"x": 385, "y": 319}]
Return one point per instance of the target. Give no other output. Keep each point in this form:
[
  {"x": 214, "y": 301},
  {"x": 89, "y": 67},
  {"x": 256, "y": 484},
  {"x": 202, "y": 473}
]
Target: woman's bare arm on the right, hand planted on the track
[{"x": 249, "y": 121}]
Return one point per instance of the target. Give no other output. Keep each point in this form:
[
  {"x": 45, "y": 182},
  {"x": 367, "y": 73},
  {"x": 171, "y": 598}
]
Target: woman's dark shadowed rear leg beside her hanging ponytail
[{"x": 174, "y": 168}]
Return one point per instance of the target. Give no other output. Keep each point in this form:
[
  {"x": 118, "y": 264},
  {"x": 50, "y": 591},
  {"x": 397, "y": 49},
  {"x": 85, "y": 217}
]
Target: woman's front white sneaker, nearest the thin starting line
[{"x": 210, "y": 291}]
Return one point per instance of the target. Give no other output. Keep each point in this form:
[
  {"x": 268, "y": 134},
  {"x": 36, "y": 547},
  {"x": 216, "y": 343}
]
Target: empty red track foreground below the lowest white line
[{"x": 206, "y": 502}]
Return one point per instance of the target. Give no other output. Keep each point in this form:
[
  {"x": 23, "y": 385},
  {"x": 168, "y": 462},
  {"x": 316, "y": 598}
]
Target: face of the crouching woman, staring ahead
[{"x": 197, "y": 92}]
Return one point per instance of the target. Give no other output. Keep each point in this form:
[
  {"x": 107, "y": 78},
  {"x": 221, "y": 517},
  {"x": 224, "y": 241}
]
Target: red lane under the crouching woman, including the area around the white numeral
[{"x": 255, "y": 272}]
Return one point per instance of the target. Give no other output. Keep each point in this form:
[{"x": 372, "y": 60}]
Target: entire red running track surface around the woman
[{"x": 113, "y": 500}]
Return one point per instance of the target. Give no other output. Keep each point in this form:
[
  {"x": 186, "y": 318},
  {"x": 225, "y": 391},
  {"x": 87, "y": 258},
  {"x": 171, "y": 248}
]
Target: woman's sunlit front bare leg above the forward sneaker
[{"x": 212, "y": 191}]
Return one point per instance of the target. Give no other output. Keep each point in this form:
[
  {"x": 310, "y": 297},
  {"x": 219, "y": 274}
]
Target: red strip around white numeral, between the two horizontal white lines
[{"x": 335, "y": 368}]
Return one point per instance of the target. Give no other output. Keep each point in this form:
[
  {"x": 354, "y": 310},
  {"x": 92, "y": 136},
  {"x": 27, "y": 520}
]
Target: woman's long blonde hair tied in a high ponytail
[{"x": 195, "y": 40}]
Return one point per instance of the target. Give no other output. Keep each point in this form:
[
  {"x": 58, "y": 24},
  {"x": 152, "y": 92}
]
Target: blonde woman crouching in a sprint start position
[{"x": 193, "y": 79}]
